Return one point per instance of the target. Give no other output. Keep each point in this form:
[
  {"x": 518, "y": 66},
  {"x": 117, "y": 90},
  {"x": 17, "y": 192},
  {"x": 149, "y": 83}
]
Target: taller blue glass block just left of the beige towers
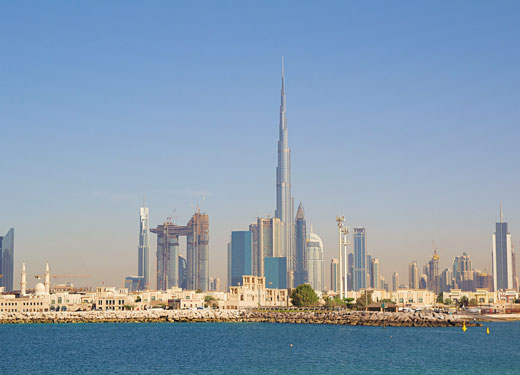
[{"x": 240, "y": 256}]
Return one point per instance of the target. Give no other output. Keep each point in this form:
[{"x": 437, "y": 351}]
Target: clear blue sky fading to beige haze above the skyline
[{"x": 403, "y": 116}]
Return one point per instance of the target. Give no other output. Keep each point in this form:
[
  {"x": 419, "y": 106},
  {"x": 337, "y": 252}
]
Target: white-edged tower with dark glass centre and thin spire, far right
[{"x": 502, "y": 256}]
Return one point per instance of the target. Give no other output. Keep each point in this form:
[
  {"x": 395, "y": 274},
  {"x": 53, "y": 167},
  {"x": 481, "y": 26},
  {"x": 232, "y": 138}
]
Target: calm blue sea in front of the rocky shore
[{"x": 256, "y": 348}]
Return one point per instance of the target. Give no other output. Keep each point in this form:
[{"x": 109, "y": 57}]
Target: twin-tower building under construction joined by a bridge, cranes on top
[{"x": 197, "y": 233}]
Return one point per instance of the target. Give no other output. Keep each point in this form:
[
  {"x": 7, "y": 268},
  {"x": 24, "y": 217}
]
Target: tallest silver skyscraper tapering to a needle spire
[{"x": 284, "y": 201}]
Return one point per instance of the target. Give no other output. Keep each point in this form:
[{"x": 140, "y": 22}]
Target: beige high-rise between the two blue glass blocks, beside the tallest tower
[{"x": 269, "y": 241}]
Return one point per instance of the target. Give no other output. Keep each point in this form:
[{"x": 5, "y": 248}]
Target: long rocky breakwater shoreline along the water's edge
[{"x": 353, "y": 318}]
